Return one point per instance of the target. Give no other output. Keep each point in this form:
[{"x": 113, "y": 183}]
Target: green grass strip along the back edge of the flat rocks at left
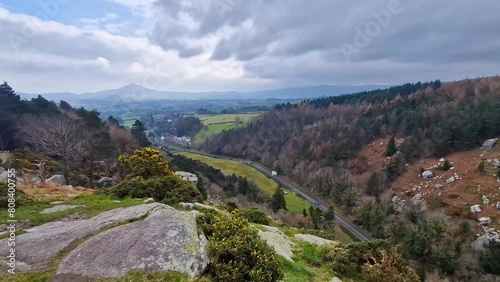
[{"x": 94, "y": 205}]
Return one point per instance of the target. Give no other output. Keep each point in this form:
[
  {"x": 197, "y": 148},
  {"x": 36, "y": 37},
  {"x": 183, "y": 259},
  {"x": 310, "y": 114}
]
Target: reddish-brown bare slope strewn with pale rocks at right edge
[{"x": 456, "y": 197}]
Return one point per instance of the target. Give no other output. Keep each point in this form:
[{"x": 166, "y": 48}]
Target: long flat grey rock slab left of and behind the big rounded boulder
[{"x": 42, "y": 243}]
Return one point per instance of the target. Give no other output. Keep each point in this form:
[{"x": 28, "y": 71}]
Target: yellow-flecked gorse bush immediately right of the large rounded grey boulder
[{"x": 236, "y": 251}]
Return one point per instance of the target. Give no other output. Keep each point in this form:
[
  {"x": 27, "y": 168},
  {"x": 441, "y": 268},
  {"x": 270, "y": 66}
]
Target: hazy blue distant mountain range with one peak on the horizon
[{"x": 134, "y": 92}]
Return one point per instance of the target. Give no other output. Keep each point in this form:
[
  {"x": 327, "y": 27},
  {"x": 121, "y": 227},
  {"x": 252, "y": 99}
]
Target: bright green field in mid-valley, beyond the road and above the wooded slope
[{"x": 214, "y": 124}]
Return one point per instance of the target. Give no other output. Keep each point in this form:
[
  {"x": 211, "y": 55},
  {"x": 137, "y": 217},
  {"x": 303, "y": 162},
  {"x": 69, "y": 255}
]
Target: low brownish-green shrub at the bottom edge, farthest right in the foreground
[{"x": 372, "y": 261}]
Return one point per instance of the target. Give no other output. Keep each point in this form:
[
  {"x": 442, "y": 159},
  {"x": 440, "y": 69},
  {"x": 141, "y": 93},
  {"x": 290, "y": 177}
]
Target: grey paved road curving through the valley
[{"x": 351, "y": 227}]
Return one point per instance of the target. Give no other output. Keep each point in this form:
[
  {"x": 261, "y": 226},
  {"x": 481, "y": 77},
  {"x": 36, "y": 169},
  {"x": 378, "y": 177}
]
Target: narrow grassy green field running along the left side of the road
[{"x": 267, "y": 185}]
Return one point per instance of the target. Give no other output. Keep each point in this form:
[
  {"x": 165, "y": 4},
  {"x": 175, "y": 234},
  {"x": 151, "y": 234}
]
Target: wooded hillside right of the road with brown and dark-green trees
[{"x": 339, "y": 147}]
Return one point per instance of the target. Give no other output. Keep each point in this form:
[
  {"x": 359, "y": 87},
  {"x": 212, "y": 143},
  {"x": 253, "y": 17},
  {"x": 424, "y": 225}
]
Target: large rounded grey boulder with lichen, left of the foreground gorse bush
[{"x": 167, "y": 240}]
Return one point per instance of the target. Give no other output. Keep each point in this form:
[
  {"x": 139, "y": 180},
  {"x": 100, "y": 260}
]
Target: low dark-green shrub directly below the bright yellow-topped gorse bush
[{"x": 169, "y": 189}]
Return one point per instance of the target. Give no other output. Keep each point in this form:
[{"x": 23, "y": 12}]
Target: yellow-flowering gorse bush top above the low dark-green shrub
[{"x": 146, "y": 163}]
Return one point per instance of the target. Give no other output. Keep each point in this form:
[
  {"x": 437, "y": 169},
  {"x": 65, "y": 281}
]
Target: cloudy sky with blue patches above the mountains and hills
[{"x": 221, "y": 45}]
